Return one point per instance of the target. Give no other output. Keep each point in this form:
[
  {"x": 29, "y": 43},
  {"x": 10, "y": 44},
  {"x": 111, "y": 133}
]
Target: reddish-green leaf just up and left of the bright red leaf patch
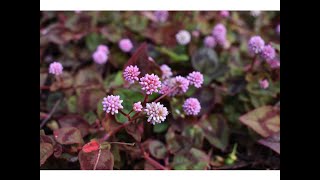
[{"x": 68, "y": 135}]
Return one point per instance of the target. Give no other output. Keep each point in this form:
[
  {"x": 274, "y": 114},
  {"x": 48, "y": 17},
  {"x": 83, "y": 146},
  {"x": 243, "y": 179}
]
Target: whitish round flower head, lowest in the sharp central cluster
[{"x": 157, "y": 112}]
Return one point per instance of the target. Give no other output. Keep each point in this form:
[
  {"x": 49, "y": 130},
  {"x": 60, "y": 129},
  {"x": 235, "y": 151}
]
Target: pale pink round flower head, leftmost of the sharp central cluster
[{"x": 111, "y": 104}]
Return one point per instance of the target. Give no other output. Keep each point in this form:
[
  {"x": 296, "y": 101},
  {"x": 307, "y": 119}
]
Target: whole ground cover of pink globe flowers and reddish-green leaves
[{"x": 160, "y": 90}]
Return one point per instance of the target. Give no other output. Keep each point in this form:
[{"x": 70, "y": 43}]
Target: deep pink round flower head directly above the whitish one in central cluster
[{"x": 150, "y": 83}]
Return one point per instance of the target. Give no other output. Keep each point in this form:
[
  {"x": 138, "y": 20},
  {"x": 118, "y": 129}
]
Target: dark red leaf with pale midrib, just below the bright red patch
[{"x": 88, "y": 160}]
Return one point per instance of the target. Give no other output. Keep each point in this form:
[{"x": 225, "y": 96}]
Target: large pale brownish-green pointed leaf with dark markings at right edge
[{"x": 264, "y": 120}]
